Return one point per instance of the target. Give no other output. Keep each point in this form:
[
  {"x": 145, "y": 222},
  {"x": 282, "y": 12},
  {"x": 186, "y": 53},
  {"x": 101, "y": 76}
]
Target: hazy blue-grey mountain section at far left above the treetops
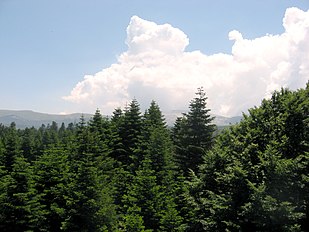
[{"x": 28, "y": 118}]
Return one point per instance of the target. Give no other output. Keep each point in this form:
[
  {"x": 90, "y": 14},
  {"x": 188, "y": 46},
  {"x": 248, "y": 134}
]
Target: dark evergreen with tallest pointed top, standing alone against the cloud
[{"x": 193, "y": 135}]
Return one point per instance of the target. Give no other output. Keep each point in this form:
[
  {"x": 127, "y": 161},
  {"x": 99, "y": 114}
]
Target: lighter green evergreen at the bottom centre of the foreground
[{"x": 149, "y": 204}]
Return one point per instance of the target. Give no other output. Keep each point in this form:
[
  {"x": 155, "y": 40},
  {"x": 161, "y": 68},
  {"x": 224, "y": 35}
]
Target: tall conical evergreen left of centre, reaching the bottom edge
[{"x": 91, "y": 205}]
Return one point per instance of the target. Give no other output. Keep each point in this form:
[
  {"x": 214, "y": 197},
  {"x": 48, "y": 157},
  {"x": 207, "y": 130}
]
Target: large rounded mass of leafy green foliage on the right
[{"x": 255, "y": 177}]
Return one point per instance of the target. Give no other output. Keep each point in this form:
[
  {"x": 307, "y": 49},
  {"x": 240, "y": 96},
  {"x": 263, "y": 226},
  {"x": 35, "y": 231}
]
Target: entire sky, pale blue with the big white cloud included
[{"x": 66, "y": 56}]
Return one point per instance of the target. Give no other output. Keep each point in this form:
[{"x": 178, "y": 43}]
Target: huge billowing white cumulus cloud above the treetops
[{"x": 157, "y": 66}]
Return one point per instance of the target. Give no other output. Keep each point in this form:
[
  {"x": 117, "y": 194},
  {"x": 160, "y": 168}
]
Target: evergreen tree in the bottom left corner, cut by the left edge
[{"x": 18, "y": 205}]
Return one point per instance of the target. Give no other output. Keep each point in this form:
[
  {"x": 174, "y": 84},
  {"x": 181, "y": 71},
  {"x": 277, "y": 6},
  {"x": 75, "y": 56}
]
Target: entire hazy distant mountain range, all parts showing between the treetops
[{"x": 28, "y": 118}]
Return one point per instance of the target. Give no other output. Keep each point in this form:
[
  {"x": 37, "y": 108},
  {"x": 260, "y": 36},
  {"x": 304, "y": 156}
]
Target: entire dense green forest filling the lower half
[{"x": 131, "y": 172}]
